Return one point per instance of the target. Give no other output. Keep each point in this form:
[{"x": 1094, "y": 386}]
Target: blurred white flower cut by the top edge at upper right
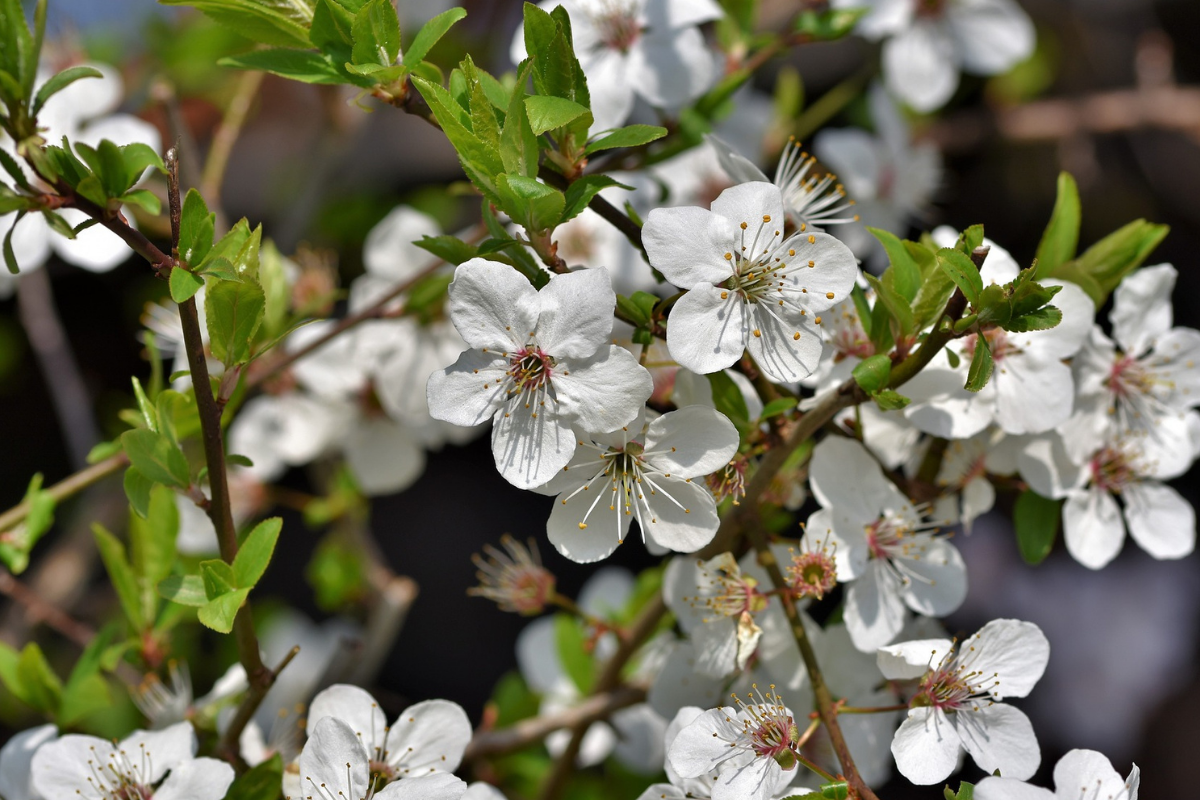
[{"x": 933, "y": 40}]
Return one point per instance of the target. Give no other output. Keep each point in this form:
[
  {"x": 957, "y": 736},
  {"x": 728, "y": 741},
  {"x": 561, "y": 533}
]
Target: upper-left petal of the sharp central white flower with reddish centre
[{"x": 493, "y": 305}]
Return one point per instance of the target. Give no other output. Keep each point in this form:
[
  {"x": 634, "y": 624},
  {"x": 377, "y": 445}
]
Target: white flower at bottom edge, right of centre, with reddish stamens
[{"x": 751, "y": 748}]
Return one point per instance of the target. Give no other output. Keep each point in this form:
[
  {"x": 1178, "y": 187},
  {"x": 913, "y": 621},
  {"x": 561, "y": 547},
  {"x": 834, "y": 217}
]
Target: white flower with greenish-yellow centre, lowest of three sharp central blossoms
[{"x": 644, "y": 473}]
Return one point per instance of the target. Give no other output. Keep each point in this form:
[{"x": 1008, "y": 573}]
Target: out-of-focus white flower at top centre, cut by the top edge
[{"x": 652, "y": 49}]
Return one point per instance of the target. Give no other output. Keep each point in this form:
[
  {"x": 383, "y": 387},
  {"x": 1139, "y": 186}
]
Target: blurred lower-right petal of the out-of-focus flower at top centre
[{"x": 673, "y": 67}]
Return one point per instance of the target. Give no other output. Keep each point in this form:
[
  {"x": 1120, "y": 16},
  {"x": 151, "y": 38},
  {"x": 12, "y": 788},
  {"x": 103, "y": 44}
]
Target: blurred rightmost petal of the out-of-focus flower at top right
[{"x": 992, "y": 35}]
